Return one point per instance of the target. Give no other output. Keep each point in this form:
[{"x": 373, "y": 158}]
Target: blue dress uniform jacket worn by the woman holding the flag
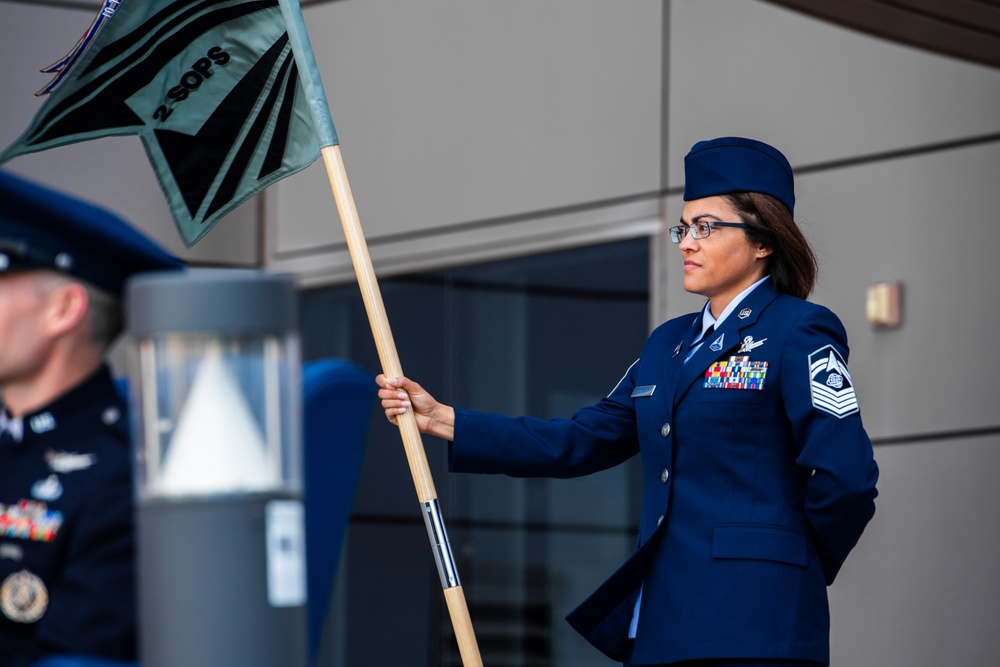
[{"x": 758, "y": 480}]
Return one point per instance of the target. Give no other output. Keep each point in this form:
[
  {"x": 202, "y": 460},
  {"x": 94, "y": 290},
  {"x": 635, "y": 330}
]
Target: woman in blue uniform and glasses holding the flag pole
[{"x": 758, "y": 475}]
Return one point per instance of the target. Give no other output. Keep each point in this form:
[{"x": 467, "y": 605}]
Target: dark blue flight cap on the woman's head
[{"x": 733, "y": 164}]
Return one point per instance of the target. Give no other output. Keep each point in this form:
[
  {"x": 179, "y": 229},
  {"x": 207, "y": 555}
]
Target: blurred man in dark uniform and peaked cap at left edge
[{"x": 66, "y": 515}]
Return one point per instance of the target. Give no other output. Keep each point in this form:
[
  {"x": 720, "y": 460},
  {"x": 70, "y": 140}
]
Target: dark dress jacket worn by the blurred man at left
[{"x": 66, "y": 530}]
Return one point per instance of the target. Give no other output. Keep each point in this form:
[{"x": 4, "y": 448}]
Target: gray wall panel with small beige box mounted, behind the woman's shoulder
[{"x": 929, "y": 222}]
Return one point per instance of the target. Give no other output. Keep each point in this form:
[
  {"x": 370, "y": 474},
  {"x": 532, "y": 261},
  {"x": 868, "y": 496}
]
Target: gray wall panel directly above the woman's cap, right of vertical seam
[{"x": 818, "y": 91}]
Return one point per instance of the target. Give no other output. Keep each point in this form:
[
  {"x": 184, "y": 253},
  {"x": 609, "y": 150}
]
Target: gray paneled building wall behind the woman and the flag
[{"x": 478, "y": 130}]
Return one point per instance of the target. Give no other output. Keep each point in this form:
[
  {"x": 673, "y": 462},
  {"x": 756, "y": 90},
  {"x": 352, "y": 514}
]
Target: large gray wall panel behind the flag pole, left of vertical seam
[{"x": 463, "y": 124}]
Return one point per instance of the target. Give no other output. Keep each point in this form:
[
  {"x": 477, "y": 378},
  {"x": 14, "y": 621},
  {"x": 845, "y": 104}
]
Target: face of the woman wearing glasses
[{"x": 723, "y": 264}]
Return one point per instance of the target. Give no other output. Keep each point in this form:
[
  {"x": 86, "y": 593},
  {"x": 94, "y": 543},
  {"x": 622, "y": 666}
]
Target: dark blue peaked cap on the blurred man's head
[{"x": 43, "y": 229}]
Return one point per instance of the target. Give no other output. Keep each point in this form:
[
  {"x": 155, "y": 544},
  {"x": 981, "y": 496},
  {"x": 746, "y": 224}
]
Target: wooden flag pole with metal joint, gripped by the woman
[{"x": 379, "y": 321}]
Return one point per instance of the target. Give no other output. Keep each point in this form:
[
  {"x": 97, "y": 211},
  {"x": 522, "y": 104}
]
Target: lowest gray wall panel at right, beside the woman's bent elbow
[{"x": 920, "y": 589}]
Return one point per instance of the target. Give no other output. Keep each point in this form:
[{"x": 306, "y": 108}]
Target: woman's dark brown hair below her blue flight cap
[{"x": 792, "y": 264}]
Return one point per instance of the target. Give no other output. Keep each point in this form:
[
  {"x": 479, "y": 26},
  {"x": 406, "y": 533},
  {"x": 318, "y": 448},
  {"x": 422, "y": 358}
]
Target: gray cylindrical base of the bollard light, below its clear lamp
[{"x": 203, "y": 587}]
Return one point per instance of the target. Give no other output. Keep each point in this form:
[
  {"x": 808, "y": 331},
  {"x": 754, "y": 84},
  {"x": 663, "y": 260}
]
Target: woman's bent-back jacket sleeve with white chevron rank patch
[{"x": 822, "y": 407}]
